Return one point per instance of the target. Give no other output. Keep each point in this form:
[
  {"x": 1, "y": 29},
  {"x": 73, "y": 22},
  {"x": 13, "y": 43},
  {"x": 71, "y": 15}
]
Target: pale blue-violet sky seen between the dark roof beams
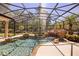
[{"x": 49, "y": 5}]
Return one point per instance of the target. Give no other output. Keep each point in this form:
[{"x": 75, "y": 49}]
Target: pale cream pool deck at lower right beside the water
[{"x": 48, "y": 49}]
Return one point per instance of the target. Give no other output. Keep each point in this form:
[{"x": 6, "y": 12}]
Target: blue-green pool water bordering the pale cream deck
[{"x": 21, "y": 47}]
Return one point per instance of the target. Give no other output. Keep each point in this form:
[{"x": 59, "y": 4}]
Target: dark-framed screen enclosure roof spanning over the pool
[{"x": 48, "y": 11}]
